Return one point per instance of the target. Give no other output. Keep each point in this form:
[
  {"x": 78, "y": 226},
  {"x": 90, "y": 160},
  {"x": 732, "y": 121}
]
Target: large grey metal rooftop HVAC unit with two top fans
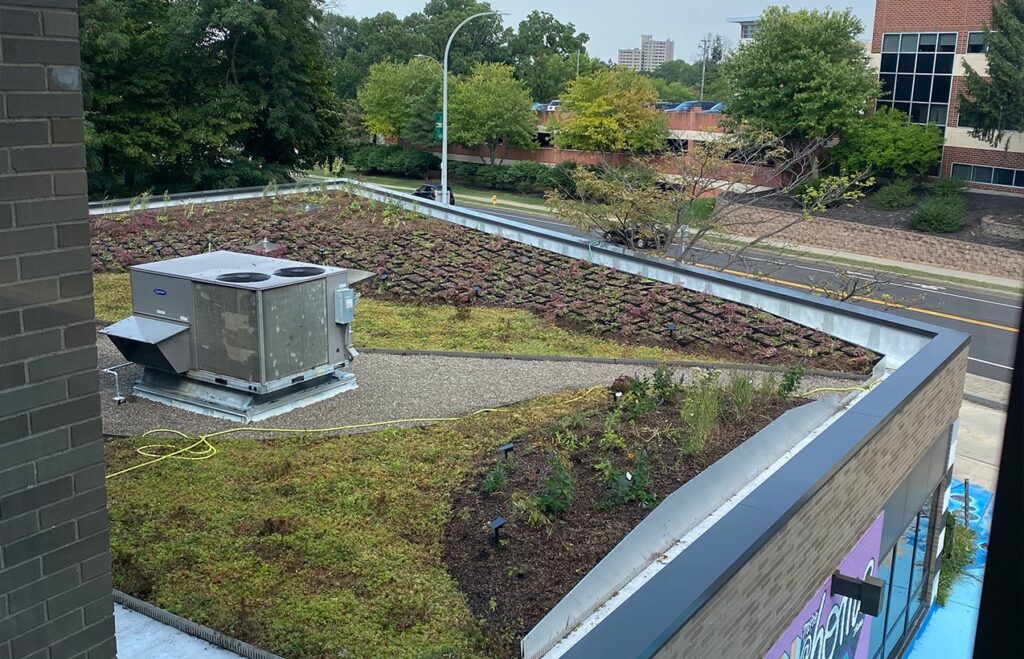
[{"x": 240, "y": 336}]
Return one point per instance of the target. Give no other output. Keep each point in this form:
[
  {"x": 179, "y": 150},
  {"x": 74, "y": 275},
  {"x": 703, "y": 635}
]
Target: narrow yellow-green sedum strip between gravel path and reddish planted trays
[{"x": 398, "y": 326}]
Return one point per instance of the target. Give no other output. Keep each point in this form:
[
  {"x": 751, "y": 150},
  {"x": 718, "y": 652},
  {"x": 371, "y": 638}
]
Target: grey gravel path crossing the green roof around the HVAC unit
[{"x": 391, "y": 387}]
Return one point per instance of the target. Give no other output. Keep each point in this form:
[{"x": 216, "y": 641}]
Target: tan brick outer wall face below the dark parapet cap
[{"x": 761, "y": 600}]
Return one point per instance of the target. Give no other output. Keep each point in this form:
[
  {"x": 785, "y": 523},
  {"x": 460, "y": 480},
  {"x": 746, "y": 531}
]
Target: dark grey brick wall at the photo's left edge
[{"x": 56, "y": 591}]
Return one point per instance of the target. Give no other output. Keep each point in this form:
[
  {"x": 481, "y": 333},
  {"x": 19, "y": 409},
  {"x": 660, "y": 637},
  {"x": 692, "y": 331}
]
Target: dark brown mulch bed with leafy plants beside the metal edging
[{"x": 513, "y": 585}]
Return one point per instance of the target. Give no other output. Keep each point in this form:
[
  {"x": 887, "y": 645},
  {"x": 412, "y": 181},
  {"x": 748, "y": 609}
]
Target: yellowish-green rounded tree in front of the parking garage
[{"x": 611, "y": 111}]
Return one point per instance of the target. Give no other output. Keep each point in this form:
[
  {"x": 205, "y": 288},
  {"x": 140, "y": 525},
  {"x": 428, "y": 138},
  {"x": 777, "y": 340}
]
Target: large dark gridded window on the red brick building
[{"x": 917, "y": 75}]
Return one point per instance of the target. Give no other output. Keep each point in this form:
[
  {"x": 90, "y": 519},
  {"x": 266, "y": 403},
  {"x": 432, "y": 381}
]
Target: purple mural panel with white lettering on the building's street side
[{"x": 833, "y": 627}]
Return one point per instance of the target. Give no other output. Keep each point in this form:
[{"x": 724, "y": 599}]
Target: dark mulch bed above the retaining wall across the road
[{"x": 1008, "y": 209}]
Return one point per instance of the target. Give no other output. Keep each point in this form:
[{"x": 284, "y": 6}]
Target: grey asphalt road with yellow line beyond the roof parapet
[{"x": 992, "y": 319}]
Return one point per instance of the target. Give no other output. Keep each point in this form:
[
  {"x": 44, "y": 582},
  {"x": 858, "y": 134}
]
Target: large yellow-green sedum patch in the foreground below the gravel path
[{"x": 311, "y": 547}]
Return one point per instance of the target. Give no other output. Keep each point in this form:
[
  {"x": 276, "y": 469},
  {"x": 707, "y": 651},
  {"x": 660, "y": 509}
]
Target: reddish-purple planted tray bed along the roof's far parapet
[{"x": 417, "y": 259}]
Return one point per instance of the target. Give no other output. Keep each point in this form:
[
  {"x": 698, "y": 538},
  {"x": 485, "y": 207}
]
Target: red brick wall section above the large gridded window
[{"x": 930, "y": 16}]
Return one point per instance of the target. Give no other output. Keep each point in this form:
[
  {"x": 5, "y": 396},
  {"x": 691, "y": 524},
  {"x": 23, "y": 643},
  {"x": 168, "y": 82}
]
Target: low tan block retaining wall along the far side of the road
[{"x": 879, "y": 242}]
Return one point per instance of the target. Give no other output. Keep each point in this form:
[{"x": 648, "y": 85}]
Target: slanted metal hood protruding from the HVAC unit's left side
[{"x": 151, "y": 342}]
